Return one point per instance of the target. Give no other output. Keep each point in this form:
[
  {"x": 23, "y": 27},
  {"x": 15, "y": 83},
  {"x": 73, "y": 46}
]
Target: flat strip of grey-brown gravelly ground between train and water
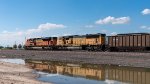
[{"x": 134, "y": 59}]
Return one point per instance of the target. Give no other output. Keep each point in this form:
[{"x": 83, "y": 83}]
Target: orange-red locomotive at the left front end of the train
[{"x": 44, "y": 43}]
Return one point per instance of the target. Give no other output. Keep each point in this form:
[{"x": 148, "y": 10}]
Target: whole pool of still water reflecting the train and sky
[{"x": 70, "y": 73}]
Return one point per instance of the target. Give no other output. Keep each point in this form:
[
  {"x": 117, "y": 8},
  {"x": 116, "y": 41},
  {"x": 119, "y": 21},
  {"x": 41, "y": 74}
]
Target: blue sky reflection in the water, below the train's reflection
[{"x": 62, "y": 79}]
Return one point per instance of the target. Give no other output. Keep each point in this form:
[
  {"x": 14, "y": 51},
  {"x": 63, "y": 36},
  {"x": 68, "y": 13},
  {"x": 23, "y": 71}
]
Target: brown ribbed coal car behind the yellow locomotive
[{"x": 129, "y": 42}]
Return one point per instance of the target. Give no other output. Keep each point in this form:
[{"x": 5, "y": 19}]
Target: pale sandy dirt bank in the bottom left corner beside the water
[{"x": 17, "y": 74}]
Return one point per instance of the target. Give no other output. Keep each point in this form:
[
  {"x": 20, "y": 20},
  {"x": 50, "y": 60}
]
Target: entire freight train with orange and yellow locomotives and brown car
[{"x": 93, "y": 42}]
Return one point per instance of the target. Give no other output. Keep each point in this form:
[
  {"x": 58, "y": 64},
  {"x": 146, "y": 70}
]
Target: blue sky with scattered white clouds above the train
[{"x": 41, "y": 18}]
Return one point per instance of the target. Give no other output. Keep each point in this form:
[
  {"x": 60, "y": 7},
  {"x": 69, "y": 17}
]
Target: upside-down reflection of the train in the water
[{"x": 93, "y": 72}]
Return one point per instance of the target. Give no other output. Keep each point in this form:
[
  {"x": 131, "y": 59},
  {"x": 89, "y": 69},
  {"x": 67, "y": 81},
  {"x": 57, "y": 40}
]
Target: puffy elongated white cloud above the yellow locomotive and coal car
[{"x": 113, "y": 20}]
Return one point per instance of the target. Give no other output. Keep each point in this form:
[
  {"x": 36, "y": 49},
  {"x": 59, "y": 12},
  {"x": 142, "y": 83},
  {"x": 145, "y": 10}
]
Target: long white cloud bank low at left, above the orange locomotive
[{"x": 8, "y": 37}]
